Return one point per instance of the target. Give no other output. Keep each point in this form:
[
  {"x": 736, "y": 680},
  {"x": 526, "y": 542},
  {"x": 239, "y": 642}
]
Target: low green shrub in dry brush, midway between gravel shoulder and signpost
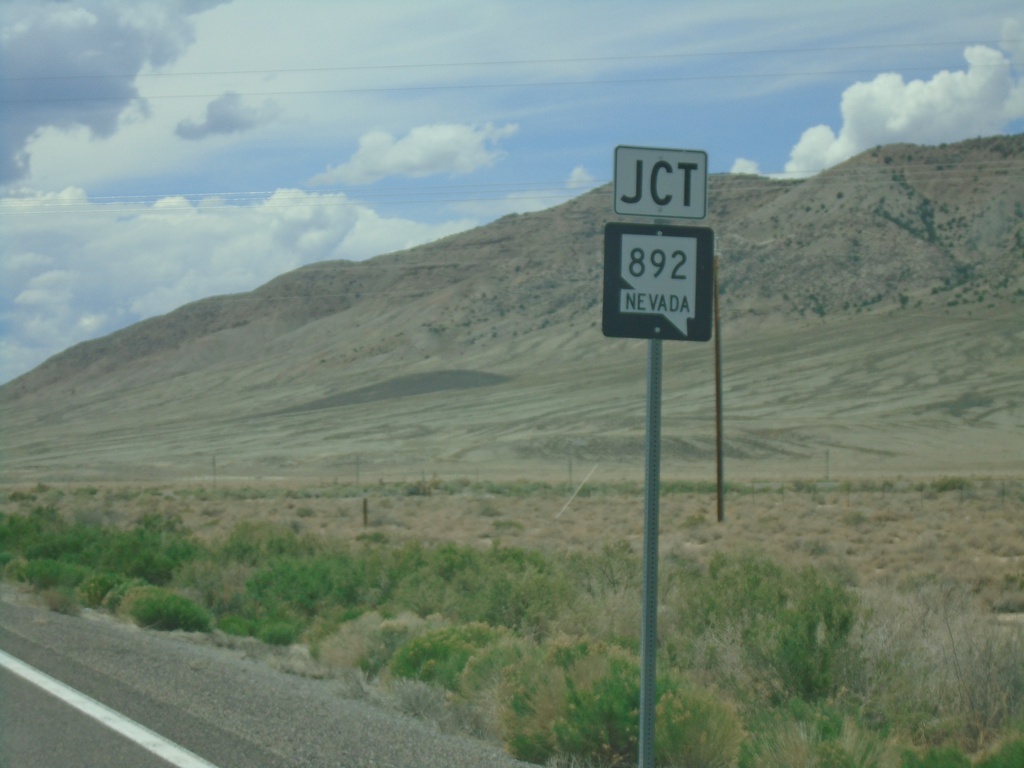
[{"x": 440, "y": 657}]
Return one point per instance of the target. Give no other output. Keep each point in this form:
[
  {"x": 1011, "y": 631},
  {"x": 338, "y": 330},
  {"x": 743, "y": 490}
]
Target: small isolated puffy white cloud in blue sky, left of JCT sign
[{"x": 425, "y": 151}]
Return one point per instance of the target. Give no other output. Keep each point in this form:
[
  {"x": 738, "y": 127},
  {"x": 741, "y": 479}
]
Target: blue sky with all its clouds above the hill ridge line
[{"x": 159, "y": 153}]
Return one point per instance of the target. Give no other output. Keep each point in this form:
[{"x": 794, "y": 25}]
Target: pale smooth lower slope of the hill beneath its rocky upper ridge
[{"x": 882, "y": 396}]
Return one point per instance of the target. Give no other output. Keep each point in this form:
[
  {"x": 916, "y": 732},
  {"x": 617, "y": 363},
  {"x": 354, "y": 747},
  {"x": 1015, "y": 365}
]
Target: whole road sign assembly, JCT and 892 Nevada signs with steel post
[{"x": 659, "y": 284}]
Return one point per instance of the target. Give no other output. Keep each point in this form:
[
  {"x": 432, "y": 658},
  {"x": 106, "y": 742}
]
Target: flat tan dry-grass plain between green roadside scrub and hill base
[{"x": 965, "y": 535}]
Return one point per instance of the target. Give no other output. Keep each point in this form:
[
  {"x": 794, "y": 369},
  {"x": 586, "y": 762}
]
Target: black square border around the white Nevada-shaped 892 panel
[{"x": 628, "y": 326}]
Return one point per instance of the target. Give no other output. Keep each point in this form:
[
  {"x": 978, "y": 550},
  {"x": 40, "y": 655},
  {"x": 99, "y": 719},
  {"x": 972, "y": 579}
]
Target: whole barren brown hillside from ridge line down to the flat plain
[{"x": 873, "y": 312}]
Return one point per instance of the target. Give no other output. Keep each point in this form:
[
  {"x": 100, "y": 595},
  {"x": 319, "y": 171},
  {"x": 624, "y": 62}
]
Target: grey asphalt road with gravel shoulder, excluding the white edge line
[{"x": 229, "y": 711}]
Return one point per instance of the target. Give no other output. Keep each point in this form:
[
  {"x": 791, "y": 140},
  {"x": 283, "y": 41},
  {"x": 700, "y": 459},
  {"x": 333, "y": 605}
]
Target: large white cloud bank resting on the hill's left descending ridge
[{"x": 75, "y": 270}]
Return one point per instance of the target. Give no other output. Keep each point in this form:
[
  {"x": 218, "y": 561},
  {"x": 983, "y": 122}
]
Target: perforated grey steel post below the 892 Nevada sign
[{"x": 649, "y": 641}]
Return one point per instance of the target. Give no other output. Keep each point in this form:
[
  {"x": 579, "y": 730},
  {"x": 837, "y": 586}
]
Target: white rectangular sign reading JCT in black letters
[{"x": 667, "y": 184}]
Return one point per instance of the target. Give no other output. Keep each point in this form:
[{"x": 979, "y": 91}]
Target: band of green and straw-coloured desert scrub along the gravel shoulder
[{"x": 761, "y": 664}]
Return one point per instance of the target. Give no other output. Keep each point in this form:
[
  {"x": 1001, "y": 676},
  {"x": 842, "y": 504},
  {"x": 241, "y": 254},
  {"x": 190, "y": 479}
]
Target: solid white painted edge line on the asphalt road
[{"x": 162, "y": 748}]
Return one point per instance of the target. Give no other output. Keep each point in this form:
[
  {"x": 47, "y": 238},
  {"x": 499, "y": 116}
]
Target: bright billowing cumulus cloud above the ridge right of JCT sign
[{"x": 950, "y": 107}]
